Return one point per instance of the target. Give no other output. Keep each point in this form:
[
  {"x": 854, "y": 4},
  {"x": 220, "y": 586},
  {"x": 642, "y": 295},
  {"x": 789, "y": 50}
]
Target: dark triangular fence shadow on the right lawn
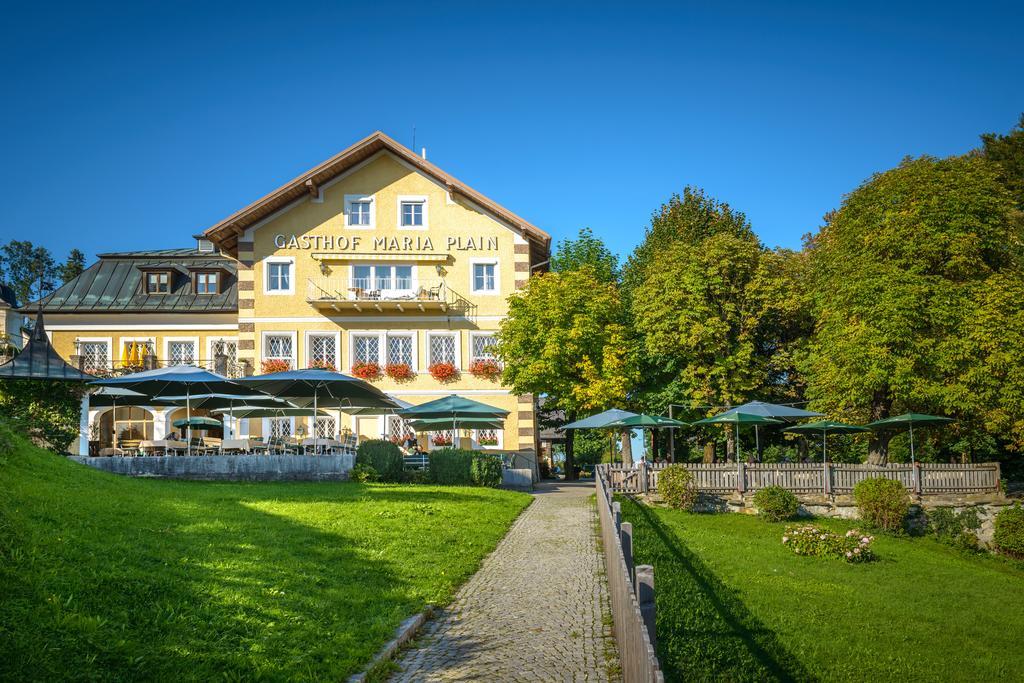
[{"x": 705, "y": 632}]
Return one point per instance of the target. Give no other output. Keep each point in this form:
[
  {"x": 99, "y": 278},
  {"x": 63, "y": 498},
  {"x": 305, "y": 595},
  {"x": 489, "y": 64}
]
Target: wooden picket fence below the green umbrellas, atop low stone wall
[{"x": 921, "y": 479}]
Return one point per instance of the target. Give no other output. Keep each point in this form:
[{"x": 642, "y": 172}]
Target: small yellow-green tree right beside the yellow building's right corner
[{"x": 564, "y": 337}]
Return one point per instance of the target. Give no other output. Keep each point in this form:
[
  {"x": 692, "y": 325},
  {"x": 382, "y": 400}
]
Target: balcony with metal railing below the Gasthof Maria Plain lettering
[{"x": 394, "y": 295}]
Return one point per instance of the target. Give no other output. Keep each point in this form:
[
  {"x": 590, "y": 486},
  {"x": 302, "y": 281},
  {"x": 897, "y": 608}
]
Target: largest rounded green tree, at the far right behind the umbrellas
[{"x": 919, "y": 266}]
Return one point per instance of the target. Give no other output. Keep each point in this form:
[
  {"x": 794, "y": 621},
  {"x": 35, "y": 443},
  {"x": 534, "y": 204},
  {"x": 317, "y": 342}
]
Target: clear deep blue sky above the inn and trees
[{"x": 140, "y": 125}]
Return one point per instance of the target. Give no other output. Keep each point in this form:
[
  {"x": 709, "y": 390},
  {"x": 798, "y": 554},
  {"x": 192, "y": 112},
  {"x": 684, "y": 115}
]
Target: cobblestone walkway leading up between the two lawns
[{"x": 534, "y": 612}]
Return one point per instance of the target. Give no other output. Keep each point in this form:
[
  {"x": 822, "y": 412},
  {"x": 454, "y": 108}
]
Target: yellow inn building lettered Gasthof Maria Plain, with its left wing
[{"x": 374, "y": 258}]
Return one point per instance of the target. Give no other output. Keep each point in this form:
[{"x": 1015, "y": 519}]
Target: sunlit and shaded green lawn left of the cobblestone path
[{"x": 114, "y": 579}]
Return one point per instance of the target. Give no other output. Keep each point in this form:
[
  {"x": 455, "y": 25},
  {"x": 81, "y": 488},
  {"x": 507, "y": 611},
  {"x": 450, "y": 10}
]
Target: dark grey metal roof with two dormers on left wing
[{"x": 114, "y": 284}]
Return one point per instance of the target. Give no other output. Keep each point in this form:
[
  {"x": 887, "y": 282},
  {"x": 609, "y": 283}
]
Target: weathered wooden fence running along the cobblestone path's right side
[{"x": 631, "y": 590}]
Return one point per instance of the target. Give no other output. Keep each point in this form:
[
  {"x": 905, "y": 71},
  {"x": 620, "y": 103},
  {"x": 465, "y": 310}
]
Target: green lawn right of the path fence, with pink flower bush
[{"x": 735, "y": 605}]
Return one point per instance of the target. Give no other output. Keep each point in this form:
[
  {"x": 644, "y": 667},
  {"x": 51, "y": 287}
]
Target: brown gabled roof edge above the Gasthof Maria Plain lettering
[{"x": 226, "y": 234}]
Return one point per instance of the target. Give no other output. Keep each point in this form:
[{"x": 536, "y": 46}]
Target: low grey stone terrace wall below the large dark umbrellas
[{"x": 228, "y": 468}]
